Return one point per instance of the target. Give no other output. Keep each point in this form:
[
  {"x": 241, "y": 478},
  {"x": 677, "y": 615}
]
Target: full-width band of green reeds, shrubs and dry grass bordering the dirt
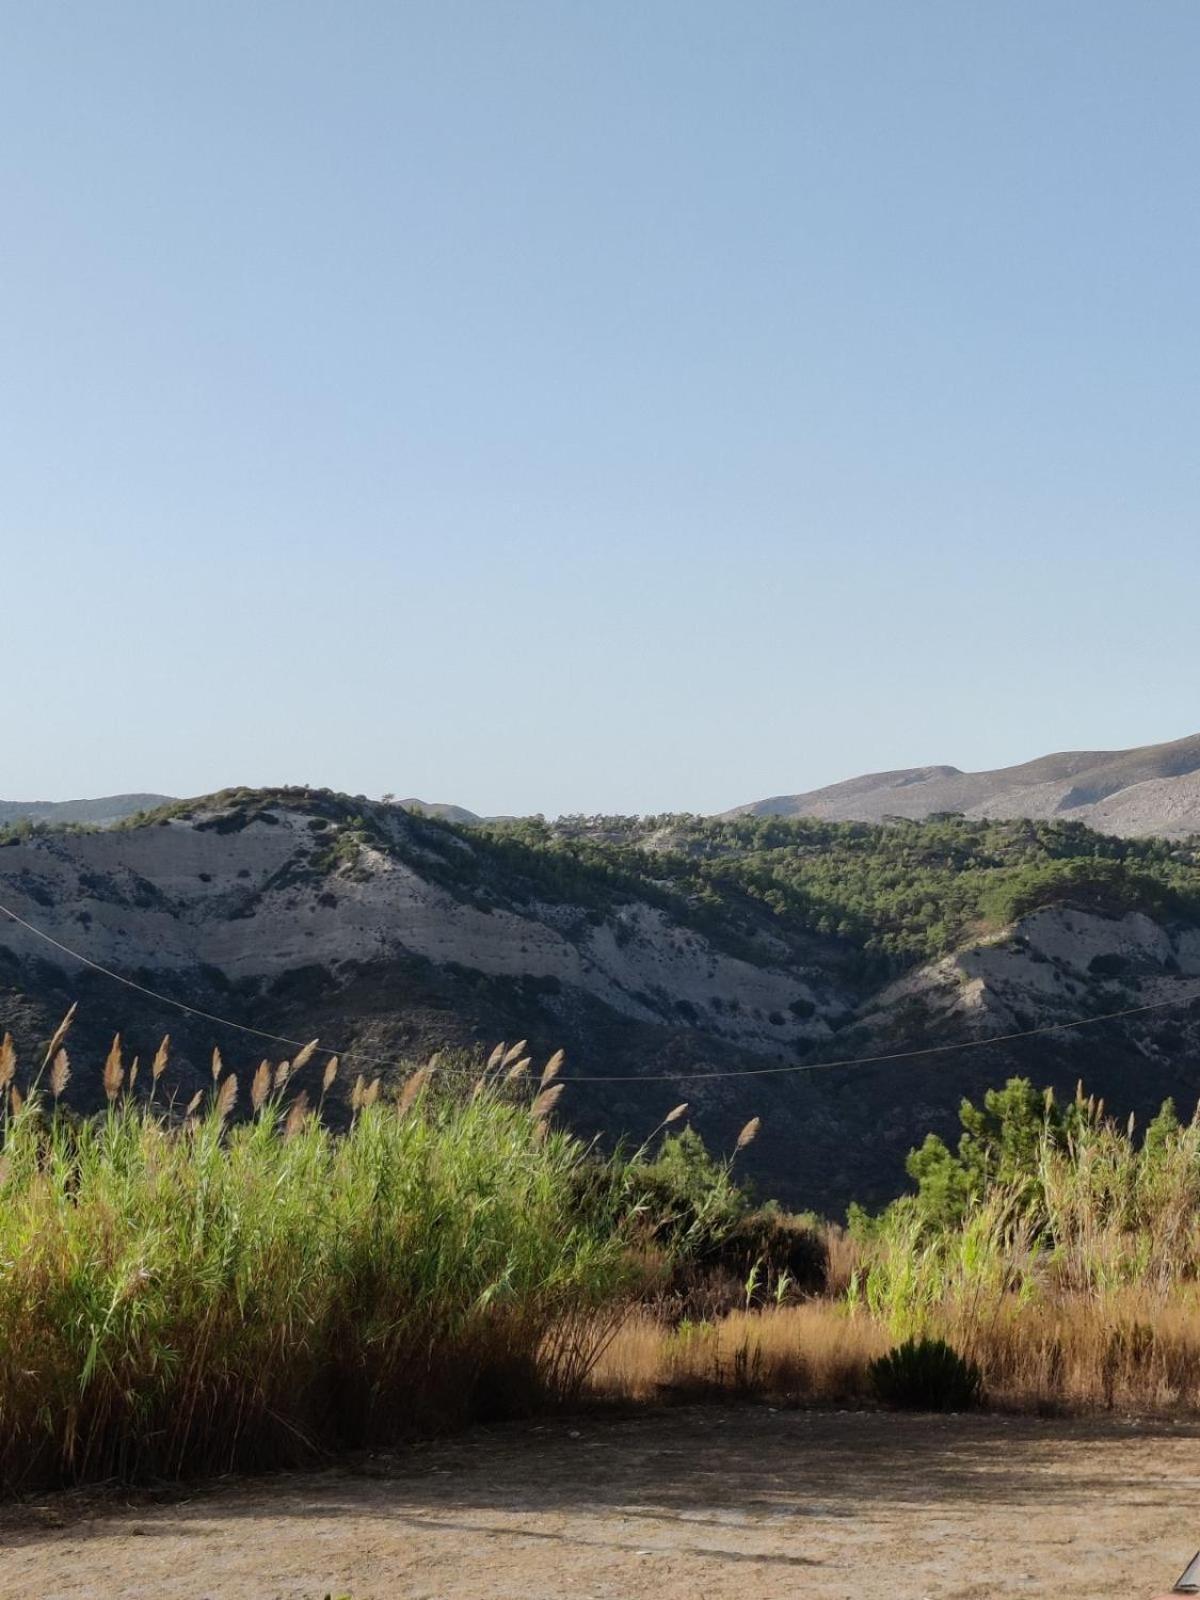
[{"x": 231, "y": 1286}]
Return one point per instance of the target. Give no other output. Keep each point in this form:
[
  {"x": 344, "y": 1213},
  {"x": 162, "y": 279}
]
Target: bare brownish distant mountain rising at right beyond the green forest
[{"x": 1151, "y": 790}]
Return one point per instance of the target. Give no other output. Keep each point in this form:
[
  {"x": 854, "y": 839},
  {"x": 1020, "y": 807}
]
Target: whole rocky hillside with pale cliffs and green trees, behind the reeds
[{"x": 654, "y": 950}]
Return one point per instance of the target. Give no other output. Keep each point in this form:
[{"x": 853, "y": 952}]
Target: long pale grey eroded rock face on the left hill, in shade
[{"x": 260, "y": 902}]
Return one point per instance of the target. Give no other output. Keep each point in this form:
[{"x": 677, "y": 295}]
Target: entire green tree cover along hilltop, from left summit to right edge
[{"x": 895, "y": 894}]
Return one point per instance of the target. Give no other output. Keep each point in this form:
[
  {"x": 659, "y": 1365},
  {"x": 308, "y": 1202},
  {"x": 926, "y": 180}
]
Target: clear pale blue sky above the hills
[{"x": 628, "y": 406}]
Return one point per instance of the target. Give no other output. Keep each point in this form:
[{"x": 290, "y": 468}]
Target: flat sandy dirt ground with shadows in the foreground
[{"x": 714, "y": 1503}]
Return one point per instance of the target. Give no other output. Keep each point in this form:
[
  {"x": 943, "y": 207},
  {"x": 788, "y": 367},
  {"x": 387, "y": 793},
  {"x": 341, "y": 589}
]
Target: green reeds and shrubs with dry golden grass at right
[{"x": 1057, "y": 1250}]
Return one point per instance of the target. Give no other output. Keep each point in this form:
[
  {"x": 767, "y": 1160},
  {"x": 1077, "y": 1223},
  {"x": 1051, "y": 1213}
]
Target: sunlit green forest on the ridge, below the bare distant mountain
[{"x": 898, "y": 890}]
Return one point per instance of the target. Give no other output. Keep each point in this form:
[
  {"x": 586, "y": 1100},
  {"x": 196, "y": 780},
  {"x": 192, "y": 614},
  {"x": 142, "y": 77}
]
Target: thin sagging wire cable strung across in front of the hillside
[{"x": 615, "y": 1078}]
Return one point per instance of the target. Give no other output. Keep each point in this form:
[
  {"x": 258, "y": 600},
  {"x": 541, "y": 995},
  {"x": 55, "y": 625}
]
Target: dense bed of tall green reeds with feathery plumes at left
[{"x": 186, "y": 1295}]
